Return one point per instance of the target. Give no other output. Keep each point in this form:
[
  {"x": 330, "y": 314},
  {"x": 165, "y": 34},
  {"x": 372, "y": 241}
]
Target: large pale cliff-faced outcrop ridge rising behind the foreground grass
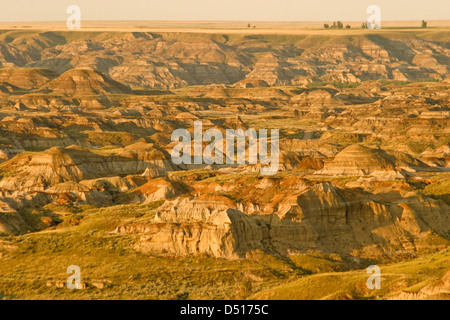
[{"x": 321, "y": 217}]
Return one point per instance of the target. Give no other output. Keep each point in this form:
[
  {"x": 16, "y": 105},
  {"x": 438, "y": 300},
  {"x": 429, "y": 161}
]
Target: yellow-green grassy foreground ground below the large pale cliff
[{"x": 34, "y": 266}]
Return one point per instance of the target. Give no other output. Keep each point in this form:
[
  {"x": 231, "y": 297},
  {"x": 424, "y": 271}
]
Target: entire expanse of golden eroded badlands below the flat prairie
[{"x": 86, "y": 176}]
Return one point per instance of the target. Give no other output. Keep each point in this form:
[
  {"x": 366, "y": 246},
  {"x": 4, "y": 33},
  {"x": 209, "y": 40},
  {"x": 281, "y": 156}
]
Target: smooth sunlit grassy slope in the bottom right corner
[{"x": 409, "y": 276}]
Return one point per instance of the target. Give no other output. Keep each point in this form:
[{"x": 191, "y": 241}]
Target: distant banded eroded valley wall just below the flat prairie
[{"x": 173, "y": 60}]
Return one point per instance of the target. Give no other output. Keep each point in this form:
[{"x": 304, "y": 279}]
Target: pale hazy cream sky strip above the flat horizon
[{"x": 245, "y": 10}]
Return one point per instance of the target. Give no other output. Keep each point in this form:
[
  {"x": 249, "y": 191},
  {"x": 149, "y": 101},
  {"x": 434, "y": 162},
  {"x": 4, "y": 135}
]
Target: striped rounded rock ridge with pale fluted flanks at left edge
[{"x": 38, "y": 171}]
